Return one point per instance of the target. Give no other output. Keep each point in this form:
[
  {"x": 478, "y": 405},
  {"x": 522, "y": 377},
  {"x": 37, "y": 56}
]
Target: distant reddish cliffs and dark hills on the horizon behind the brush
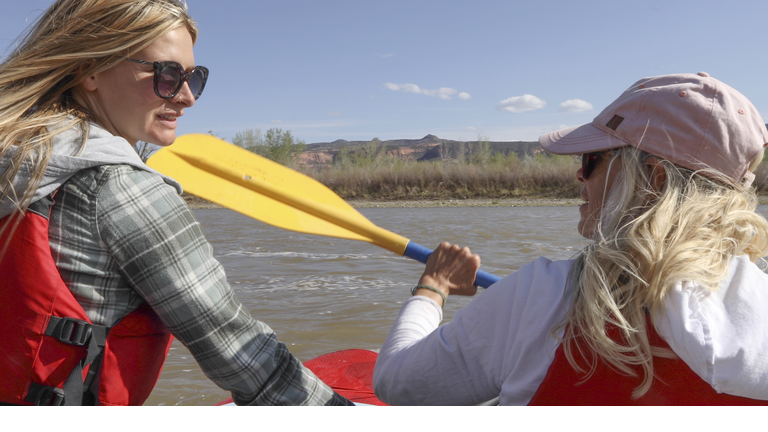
[{"x": 425, "y": 149}]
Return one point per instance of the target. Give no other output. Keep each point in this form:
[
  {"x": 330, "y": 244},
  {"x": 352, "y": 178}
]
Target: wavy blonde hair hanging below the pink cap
[{"x": 645, "y": 242}]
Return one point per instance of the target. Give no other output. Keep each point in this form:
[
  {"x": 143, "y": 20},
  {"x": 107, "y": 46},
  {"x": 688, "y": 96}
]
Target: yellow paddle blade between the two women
[{"x": 262, "y": 189}]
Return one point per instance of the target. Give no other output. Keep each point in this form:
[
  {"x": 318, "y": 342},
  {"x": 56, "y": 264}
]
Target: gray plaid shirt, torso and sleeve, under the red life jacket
[{"x": 121, "y": 236}]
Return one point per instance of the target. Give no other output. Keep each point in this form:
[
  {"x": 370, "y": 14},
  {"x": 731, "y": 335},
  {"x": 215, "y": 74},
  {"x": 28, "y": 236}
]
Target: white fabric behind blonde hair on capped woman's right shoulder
[{"x": 722, "y": 335}]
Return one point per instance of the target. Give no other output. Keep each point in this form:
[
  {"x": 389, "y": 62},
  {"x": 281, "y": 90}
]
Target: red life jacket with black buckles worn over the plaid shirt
[{"x": 48, "y": 345}]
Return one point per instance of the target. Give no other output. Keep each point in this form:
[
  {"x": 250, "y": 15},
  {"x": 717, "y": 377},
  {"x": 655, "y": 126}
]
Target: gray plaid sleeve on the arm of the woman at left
[{"x": 161, "y": 250}]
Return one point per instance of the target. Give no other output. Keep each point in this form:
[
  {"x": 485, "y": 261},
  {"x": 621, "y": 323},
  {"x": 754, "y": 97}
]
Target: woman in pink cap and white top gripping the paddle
[{"x": 666, "y": 306}]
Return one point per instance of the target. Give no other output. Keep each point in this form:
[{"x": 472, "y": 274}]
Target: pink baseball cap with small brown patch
[{"x": 692, "y": 120}]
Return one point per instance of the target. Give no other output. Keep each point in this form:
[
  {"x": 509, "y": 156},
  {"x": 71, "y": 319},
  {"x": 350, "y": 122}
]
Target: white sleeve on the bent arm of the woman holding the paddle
[{"x": 497, "y": 346}]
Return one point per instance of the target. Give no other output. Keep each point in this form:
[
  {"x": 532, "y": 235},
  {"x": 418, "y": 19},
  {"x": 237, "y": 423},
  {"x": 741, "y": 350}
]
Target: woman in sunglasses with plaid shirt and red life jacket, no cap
[{"x": 101, "y": 260}]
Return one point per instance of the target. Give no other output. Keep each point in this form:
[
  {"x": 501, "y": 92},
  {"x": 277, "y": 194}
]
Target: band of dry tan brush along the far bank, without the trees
[{"x": 380, "y": 180}]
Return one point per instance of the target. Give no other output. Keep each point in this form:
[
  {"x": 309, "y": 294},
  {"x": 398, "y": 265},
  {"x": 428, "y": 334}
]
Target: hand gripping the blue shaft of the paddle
[{"x": 451, "y": 269}]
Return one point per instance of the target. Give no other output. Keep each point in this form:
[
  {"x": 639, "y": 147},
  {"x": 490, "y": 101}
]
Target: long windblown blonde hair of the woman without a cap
[{"x": 72, "y": 40}]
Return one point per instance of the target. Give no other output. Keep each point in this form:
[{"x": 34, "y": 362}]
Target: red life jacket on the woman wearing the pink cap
[{"x": 674, "y": 383}]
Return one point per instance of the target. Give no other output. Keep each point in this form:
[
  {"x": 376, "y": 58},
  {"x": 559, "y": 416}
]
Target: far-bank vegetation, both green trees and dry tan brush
[{"x": 457, "y": 174}]
